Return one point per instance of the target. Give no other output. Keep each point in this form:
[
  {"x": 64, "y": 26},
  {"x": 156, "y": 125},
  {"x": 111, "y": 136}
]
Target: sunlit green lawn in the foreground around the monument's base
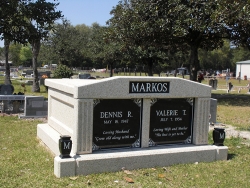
[{"x": 26, "y": 163}]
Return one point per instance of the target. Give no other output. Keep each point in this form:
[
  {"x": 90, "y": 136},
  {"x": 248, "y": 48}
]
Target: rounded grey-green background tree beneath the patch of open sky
[{"x": 67, "y": 44}]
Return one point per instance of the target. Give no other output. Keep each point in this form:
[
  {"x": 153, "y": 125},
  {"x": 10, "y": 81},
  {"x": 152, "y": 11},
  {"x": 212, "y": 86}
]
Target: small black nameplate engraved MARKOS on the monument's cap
[{"x": 149, "y": 87}]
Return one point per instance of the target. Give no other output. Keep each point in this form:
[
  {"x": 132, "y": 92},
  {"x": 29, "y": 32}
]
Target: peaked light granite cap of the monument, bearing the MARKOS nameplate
[{"x": 131, "y": 87}]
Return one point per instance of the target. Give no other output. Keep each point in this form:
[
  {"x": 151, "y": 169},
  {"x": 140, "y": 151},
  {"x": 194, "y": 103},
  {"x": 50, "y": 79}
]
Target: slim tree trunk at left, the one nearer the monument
[{"x": 35, "y": 51}]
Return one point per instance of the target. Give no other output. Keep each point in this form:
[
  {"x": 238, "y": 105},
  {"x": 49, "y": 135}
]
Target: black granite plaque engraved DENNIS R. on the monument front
[{"x": 117, "y": 123}]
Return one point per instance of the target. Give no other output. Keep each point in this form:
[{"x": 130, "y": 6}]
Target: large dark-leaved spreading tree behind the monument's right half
[{"x": 152, "y": 27}]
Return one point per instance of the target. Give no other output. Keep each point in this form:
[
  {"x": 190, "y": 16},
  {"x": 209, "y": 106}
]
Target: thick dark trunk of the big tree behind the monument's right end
[{"x": 194, "y": 63}]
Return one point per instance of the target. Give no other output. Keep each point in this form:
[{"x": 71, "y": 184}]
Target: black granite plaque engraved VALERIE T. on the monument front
[{"x": 171, "y": 121}]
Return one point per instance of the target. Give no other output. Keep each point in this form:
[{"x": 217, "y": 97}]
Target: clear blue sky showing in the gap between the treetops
[{"x": 85, "y": 11}]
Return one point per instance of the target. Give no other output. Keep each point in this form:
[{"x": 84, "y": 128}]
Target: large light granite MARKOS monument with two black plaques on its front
[{"x": 131, "y": 122}]
